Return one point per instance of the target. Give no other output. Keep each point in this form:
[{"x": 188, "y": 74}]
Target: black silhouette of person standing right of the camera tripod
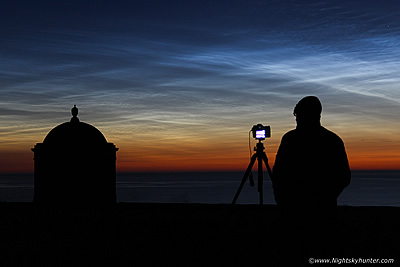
[{"x": 311, "y": 167}]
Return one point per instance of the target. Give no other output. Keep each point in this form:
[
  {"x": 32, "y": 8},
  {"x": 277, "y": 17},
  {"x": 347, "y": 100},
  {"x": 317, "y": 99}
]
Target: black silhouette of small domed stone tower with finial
[{"x": 75, "y": 165}]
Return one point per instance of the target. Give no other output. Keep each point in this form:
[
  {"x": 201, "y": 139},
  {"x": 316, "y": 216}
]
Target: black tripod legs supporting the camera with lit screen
[{"x": 260, "y": 156}]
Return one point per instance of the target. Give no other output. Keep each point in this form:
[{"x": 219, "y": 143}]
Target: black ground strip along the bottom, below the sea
[{"x": 192, "y": 235}]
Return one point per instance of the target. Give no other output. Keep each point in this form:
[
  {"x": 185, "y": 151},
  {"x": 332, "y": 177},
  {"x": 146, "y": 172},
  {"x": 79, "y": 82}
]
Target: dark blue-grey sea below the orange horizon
[{"x": 367, "y": 188}]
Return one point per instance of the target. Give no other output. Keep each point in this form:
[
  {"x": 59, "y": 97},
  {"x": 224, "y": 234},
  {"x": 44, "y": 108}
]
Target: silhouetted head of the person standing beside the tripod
[{"x": 308, "y": 111}]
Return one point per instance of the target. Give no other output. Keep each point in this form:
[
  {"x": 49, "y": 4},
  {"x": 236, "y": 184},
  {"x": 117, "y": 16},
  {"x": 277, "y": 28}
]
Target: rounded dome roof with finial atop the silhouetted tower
[{"x": 75, "y": 132}]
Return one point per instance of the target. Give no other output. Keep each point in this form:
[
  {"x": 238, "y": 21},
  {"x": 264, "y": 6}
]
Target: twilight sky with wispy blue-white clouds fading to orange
[{"x": 181, "y": 76}]
